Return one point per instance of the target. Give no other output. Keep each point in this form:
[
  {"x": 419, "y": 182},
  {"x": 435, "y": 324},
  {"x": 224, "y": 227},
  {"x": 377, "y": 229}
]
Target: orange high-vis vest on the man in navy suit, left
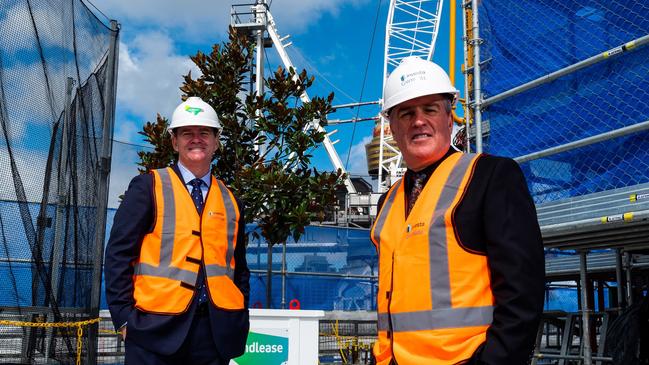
[{"x": 181, "y": 241}]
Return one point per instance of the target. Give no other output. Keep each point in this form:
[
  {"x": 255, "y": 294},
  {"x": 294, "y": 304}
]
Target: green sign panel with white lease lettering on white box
[{"x": 268, "y": 348}]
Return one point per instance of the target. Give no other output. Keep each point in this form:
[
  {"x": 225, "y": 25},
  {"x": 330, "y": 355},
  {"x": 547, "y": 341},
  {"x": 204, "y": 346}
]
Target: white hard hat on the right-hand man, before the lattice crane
[{"x": 413, "y": 78}]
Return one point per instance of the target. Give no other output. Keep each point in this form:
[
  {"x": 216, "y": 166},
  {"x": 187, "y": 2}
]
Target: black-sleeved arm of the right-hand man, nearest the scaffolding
[{"x": 516, "y": 261}]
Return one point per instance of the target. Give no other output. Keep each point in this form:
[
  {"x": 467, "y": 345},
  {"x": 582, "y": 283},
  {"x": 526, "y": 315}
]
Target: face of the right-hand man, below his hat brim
[{"x": 422, "y": 129}]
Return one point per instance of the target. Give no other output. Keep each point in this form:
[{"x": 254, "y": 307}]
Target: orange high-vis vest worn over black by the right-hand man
[{"x": 434, "y": 297}]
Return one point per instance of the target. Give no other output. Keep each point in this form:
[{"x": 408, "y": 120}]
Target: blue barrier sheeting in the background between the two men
[{"x": 329, "y": 268}]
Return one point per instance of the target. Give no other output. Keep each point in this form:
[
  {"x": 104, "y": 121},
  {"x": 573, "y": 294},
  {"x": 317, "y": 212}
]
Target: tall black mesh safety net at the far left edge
[{"x": 50, "y": 150}]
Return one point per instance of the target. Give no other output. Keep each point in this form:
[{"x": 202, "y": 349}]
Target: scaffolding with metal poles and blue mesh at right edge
[{"x": 562, "y": 88}]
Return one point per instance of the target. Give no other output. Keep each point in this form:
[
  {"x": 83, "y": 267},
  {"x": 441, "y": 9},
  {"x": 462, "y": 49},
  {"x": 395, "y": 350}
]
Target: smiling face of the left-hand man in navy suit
[{"x": 195, "y": 145}]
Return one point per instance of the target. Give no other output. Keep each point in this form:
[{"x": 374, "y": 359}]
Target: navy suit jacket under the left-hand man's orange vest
[{"x": 164, "y": 334}]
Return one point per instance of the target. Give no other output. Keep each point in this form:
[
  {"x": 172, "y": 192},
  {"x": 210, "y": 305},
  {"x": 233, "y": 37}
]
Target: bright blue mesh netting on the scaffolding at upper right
[{"x": 527, "y": 40}]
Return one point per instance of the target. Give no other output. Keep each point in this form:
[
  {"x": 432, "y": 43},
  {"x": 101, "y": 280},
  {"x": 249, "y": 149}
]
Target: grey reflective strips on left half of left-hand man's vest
[{"x": 165, "y": 270}]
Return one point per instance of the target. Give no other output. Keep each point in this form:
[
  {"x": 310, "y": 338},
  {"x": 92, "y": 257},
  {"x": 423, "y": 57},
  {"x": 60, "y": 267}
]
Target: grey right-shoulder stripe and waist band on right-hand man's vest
[{"x": 442, "y": 315}]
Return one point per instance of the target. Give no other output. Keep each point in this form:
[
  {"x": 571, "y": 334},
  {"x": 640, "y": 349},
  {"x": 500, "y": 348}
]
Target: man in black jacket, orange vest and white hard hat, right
[{"x": 461, "y": 265}]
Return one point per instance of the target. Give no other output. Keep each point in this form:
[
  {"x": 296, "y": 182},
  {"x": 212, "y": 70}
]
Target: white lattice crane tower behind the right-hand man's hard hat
[{"x": 411, "y": 30}]
